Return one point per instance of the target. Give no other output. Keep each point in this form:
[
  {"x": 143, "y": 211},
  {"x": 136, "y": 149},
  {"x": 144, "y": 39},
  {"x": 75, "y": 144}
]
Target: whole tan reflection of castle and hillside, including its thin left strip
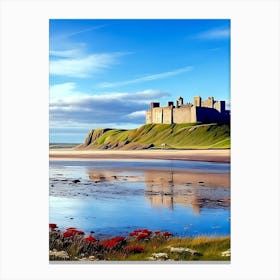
[{"x": 167, "y": 188}]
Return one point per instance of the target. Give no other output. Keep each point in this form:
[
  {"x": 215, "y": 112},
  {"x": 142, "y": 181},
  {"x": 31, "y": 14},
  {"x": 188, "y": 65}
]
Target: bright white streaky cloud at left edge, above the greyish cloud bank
[{"x": 84, "y": 66}]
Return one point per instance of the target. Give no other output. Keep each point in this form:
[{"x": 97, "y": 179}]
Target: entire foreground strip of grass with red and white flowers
[{"x": 140, "y": 245}]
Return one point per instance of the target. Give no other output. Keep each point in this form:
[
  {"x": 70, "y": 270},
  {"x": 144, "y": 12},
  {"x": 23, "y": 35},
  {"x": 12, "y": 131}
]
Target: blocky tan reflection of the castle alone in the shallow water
[{"x": 196, "y": 190}]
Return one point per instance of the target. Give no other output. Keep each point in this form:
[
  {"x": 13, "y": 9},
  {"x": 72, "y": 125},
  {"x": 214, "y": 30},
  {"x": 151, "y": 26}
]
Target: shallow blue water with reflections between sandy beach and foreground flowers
[{"x": 111, "y": 198}]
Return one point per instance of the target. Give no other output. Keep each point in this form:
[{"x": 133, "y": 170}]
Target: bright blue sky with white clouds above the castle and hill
[{"x": 105, "y": 73}]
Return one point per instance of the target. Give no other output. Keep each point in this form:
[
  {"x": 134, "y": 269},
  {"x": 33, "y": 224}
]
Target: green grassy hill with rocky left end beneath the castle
[{"x": 168, "y": 136}]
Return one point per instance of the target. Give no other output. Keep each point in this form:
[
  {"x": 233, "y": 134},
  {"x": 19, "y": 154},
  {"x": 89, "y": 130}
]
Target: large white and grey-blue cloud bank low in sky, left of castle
[{"x": 115, "y": 107}]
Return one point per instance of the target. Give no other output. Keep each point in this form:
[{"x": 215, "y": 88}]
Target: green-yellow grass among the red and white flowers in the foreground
[{"x": 207, "y": 249}]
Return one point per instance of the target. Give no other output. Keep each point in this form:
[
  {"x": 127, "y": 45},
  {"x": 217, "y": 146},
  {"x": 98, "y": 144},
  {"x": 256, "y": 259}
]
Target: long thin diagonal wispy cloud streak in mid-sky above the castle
[{"x": 147, "y": 78}]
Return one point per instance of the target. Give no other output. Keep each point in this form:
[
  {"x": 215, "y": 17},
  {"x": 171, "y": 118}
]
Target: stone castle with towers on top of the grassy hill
[{"x": 201, "y": 111}]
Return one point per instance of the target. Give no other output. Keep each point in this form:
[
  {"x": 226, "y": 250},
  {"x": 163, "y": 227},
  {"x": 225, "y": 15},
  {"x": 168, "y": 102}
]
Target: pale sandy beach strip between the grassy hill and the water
[{"x": 195, "y": 155}]
